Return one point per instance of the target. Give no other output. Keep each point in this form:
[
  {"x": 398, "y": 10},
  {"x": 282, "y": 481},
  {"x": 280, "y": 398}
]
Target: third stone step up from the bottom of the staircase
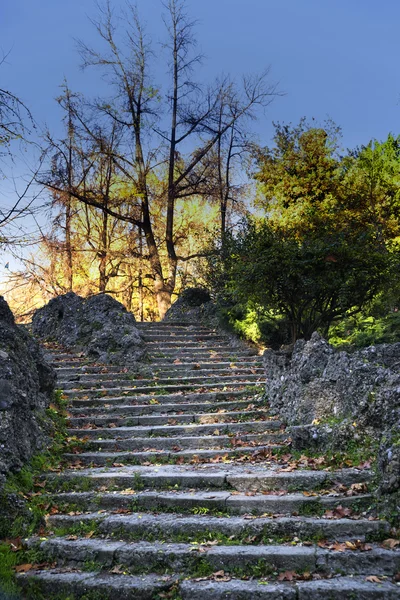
[{"x": 205, "y": 528}]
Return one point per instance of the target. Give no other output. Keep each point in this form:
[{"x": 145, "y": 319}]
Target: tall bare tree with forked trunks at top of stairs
[{"x": 149, "y": 148}]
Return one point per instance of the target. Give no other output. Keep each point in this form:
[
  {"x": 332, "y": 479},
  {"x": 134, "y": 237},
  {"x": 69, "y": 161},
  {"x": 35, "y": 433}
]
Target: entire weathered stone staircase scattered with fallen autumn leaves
[{"x": 185, "y": 488}]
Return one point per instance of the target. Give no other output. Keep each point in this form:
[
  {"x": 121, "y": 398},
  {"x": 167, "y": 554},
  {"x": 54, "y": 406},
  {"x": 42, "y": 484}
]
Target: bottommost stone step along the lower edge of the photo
[{"x": 147, "y": 587}]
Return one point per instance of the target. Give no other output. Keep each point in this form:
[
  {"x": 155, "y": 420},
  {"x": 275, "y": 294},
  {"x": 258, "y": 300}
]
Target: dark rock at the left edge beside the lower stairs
[{"x": 26, "y": 387}]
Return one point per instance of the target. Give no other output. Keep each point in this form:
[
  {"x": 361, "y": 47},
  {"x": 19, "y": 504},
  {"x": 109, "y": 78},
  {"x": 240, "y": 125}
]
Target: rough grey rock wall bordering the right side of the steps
[{"x": 332, "y": 398}]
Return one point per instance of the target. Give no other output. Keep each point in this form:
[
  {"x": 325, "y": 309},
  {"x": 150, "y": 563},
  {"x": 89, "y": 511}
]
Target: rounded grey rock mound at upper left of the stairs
[{"x": 99, "y": 326}]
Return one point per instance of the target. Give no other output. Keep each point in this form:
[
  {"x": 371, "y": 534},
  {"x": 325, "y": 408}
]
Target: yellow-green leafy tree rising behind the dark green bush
[{"x": 300, "y": 177}]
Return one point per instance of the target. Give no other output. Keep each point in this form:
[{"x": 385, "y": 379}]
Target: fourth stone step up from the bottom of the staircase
[{"x": 213, "y": 500}]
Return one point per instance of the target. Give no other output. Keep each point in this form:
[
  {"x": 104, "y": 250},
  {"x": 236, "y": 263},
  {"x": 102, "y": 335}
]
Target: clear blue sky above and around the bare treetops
[{"x": 331, "y": 57}]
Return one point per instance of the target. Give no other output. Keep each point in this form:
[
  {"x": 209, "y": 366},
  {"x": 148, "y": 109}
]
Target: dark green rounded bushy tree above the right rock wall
[{"x": 312, "y": 282}]
